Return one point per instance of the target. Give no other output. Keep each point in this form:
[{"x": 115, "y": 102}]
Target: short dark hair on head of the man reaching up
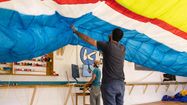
[{"x": 117, "y": 34}]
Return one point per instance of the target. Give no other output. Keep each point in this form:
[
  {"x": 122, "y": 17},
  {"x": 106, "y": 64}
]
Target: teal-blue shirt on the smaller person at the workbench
[{"x": 97, "y": 72}]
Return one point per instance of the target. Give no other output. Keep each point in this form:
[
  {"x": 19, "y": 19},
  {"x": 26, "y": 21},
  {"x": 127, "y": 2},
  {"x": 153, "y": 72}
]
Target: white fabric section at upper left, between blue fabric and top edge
[{"x": 48, "y": 7}]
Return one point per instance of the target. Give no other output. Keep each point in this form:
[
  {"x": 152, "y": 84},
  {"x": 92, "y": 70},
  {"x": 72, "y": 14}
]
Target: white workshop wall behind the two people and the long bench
[{"x": 57, "y": 96}]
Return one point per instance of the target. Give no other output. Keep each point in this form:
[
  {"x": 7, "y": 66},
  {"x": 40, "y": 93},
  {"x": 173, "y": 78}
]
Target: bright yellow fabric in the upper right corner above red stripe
[{"x": 172, "y": 12}]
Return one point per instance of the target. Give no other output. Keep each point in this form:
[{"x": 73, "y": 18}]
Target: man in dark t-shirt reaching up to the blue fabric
[{"x": 113, "y": 86}]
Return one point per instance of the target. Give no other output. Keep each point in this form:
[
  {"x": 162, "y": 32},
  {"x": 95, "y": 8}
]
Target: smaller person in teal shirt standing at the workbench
[{"x": 95, "y": 84}]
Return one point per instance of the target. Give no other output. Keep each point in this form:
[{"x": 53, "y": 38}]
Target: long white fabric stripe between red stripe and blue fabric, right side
[{"x": 106, "y": 13}]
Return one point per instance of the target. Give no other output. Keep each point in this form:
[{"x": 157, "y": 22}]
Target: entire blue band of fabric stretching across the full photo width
[{"x": 25, "y": 36}]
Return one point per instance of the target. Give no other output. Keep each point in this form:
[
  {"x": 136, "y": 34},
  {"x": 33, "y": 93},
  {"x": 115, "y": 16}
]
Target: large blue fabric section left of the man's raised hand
[{"x": 24, "y": 37}]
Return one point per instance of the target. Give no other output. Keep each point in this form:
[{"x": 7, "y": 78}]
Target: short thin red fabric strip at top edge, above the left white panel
[{"x": 75, "y": 1}]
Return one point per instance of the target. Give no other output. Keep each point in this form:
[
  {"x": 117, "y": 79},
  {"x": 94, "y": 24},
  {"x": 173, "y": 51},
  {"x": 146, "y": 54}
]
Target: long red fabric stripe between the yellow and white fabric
[{"x": 138, "y": 17}]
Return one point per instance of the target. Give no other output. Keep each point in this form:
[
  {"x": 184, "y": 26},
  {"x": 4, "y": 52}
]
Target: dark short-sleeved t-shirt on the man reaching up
[{"x": 113, "y": 61}]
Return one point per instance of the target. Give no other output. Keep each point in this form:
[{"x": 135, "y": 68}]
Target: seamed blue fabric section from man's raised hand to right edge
[{"x": 139, "y": 48}]
